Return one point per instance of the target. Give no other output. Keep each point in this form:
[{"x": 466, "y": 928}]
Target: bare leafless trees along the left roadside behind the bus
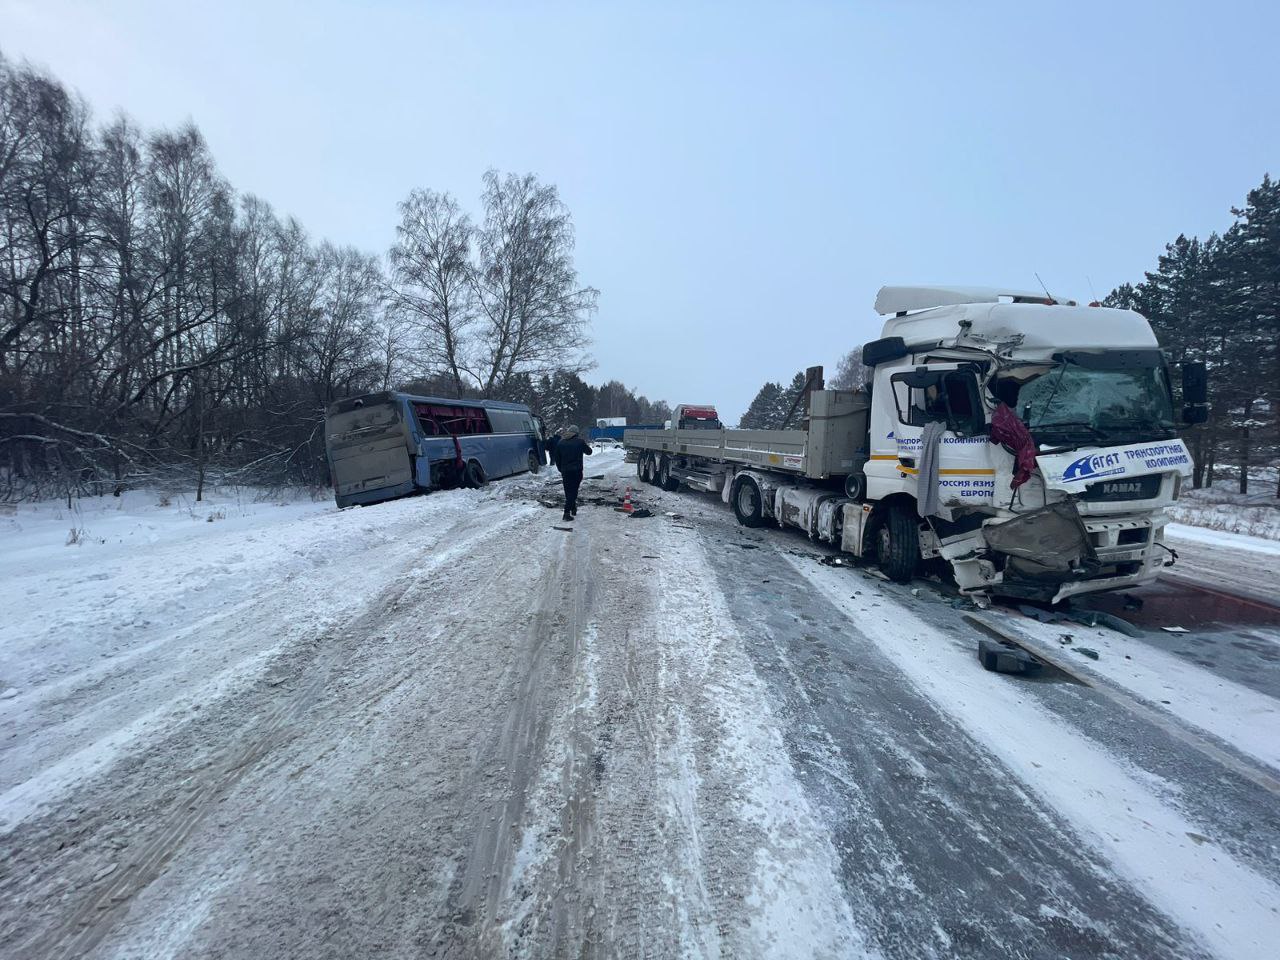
[{"x": 156, "y": 323}]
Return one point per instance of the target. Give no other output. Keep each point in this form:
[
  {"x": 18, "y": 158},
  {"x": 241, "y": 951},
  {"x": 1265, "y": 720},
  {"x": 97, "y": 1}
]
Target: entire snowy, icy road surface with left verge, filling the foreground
[{"x": 446, "y": 728}]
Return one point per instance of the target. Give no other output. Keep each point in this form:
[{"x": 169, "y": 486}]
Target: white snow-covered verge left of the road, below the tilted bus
[{"x": 156, "y": 612}]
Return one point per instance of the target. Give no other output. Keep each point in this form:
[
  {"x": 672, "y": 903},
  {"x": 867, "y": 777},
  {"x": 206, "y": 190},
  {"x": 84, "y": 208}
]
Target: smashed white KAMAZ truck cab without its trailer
[{"x": 1091, "y": 386}]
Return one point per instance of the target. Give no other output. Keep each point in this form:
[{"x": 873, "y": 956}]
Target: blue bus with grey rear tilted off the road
[{"x": 391, "y": 445}]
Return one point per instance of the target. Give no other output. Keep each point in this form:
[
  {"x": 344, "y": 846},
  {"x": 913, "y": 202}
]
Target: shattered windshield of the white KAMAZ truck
[{"x": 1098, "y": 397}]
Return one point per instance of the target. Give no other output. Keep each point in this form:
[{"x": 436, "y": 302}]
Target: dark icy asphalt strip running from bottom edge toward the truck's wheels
[{"x": 940, "y": 852}]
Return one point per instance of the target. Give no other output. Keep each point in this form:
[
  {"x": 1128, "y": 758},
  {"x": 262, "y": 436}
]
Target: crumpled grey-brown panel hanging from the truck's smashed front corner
[{"x": 1046, "y": 546}]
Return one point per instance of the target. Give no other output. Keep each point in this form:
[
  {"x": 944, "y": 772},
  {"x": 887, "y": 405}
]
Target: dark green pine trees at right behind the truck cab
[{"x": 1218, "y": 301}]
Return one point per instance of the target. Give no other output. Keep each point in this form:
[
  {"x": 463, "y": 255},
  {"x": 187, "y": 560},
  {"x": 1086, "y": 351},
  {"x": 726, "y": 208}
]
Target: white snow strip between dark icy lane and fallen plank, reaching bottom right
[{"x": 1229, "y": 907}]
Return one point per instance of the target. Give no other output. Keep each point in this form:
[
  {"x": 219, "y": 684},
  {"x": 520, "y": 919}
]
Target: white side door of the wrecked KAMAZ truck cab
[{"x": 945, "y": 394}]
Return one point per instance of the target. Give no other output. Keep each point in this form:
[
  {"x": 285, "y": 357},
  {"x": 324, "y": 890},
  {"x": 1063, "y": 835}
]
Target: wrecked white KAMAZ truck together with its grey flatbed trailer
[{"x": 1031, "y": 444}]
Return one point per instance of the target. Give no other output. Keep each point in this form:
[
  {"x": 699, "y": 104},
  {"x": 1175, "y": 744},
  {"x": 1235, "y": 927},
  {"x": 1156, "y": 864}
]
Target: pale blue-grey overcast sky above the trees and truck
[{"x": 743, "y": 179}]
